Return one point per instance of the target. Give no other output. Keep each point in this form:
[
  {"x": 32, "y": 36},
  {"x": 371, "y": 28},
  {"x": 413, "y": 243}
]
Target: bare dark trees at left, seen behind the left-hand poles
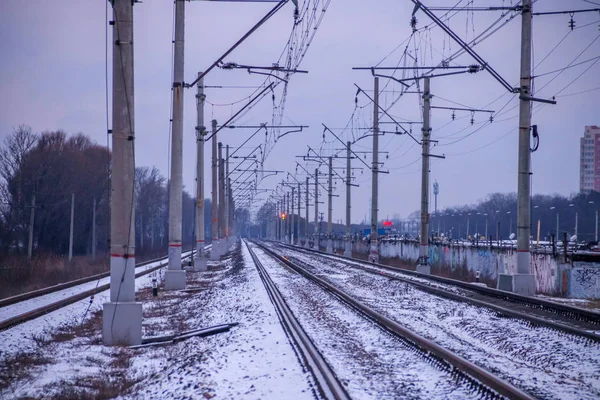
[{"x": 56, "y": 168}]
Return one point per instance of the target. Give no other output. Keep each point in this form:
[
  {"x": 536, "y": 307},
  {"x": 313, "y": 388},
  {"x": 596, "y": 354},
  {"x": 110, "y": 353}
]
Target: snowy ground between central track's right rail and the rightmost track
[{"x": 541, "y": 361}]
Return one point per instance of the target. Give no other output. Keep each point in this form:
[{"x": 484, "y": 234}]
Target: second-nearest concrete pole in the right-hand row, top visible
[{"x": 423, "y": 264}]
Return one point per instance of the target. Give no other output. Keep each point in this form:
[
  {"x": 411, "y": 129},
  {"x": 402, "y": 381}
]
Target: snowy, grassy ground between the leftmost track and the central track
[{"x": 253, "y": 360}]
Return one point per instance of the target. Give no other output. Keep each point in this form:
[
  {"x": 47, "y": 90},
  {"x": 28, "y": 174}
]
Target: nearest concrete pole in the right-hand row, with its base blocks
[{"x": 524, "y": 281}]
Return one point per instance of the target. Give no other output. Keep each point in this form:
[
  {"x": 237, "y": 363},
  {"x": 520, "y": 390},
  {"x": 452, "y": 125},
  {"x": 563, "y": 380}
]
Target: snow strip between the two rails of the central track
[{"x": 372, "y": 363}]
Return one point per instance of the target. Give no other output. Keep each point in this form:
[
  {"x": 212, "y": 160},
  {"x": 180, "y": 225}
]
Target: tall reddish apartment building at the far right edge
[{"x": 589, "y": 166}]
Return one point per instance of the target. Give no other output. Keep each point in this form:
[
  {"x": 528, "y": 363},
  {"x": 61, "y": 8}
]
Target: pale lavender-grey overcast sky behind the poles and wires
[{"x": 52, "y": 77}]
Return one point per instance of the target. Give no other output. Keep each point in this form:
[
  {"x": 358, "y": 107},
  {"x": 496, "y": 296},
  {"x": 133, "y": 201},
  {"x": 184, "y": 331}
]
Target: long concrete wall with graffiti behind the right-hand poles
[{"x": 553, "y": 277}]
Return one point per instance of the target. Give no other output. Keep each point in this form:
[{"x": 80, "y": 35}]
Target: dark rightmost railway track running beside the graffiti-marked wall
[{"x": 573, "y": 320}]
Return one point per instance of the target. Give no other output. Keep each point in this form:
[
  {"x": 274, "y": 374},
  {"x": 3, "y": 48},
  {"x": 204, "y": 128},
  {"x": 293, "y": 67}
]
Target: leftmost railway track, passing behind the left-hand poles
[{"x": 52, "y": 303}]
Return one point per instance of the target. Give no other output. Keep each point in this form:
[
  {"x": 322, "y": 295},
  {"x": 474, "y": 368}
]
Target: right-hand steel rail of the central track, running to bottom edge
[{"x": 470, "y": 370}]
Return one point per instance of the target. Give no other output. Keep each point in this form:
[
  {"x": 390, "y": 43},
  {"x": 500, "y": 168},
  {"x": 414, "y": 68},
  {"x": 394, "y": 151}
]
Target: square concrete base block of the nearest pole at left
[{"x": 122, "y": 324}]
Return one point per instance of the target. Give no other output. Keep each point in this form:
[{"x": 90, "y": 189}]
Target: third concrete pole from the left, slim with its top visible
[{"x": 200, "y": 263}]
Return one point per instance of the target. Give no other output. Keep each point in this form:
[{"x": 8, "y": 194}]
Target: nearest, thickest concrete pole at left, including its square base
[{"x": 122, "y": 316}]
